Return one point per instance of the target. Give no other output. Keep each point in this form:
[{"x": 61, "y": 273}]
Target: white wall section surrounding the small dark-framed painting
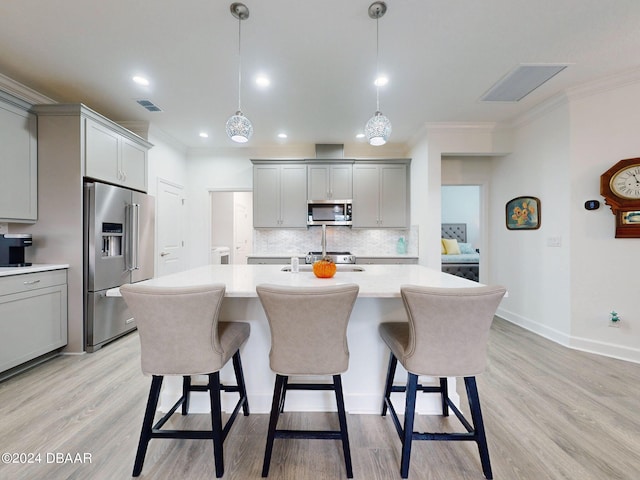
[{"x": 537, "y": 276}]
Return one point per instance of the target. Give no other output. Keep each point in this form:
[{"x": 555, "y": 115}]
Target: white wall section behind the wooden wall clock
[{"x": 604, "y": 270}]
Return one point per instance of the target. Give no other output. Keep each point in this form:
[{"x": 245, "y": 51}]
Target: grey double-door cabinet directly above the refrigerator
[{"x": 113, "y": 158}]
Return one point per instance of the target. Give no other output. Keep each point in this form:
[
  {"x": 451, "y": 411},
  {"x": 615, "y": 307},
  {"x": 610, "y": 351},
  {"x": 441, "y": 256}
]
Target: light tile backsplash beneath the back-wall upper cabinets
[{"x": 363, "y": 242}]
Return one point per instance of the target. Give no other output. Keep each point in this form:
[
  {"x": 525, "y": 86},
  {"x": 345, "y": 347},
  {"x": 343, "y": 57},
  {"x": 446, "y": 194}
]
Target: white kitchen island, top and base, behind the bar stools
[{"x": 378, "y": 300}]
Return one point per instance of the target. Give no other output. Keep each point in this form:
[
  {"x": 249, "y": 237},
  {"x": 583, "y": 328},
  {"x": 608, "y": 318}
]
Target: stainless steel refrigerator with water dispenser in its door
[{"x": 118, "y": 248}]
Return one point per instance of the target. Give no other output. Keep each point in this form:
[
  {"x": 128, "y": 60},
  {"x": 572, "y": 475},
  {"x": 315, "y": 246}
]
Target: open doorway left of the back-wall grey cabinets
[{"x": 231, "y": 225}]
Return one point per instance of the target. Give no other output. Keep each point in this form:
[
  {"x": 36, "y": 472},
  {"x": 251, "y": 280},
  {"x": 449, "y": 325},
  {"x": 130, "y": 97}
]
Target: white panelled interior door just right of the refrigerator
[{"x": 169, "y": 217}]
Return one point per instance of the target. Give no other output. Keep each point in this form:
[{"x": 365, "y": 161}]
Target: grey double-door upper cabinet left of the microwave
[{"x": 280, "y": 195}]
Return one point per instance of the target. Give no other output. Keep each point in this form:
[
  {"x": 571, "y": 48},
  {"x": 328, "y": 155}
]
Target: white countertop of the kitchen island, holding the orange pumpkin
[{"x": 376, "y": 281}]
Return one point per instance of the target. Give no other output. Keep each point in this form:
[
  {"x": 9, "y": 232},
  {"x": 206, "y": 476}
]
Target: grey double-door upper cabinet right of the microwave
[{"x": 381, "y": 195}]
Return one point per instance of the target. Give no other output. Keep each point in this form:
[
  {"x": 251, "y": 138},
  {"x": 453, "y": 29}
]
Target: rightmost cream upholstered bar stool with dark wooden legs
[{"x": 446, "y": 336}]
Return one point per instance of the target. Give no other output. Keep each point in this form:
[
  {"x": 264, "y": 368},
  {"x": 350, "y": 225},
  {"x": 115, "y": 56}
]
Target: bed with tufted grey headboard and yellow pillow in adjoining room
[{"x": 459, "y": 257}]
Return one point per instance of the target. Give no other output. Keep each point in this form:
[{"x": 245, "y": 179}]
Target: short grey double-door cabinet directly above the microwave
[{"x": 329, "y": 182}]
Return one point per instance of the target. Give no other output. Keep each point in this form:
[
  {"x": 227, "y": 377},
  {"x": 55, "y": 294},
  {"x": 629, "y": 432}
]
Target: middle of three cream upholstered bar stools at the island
[{"x": 308, "y": 337}]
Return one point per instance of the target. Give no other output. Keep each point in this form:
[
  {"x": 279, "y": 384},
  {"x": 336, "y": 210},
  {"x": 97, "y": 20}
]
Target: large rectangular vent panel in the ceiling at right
[{"x": 521, "y": 81}]
